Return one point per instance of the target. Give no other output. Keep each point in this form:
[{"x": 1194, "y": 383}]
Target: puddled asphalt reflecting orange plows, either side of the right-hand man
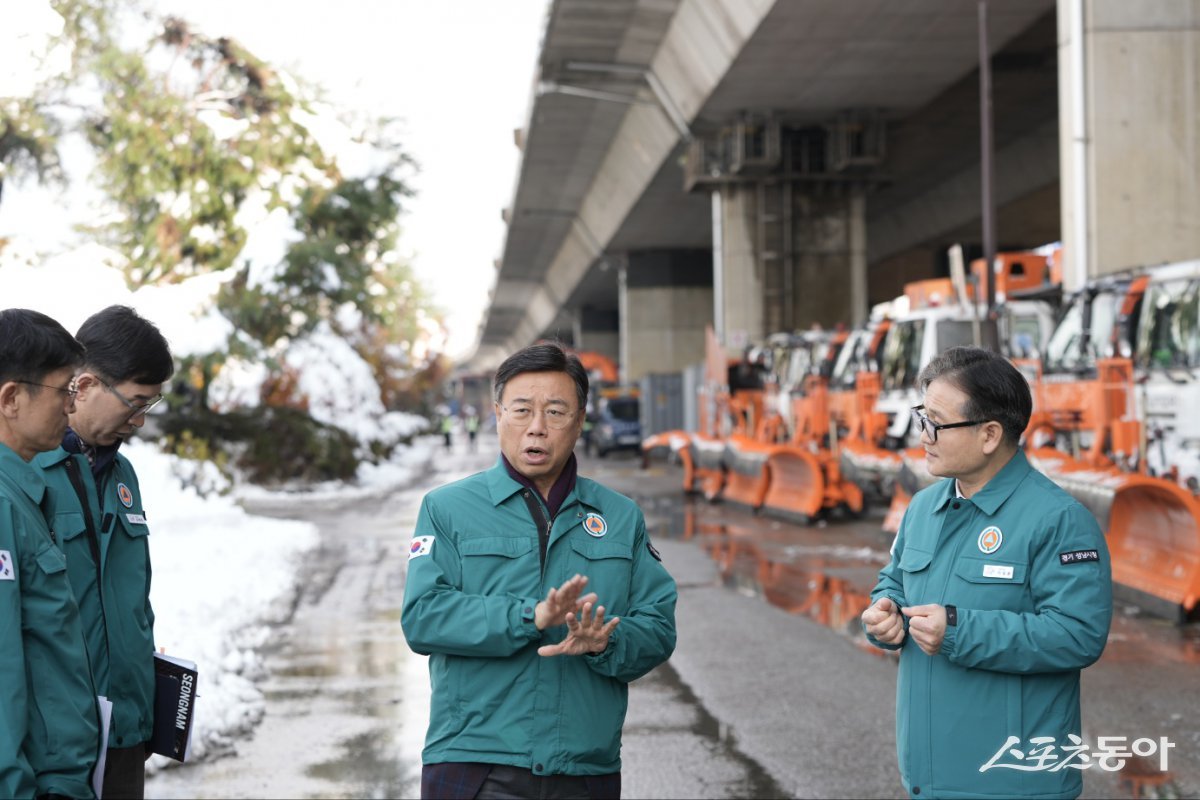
[{"x": 827, "y": 574}]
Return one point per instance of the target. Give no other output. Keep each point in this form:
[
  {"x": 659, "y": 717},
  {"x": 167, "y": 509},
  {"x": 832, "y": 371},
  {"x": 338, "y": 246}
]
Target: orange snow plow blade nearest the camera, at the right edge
[{"x": 1151, "y": 525}]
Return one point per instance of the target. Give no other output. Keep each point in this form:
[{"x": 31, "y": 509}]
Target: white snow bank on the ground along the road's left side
[{"x": 223, "y": 576}]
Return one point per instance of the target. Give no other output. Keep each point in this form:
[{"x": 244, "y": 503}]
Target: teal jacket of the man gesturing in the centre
[{"x": 475, "y": 579}]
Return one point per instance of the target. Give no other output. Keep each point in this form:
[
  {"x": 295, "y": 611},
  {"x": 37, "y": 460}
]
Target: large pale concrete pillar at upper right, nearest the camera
[{"x": 1130, "y": 141}]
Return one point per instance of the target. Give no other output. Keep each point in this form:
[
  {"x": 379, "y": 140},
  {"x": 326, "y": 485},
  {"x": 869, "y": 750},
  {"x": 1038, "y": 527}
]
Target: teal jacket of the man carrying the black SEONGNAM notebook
[{"x": 115, "y": 600}]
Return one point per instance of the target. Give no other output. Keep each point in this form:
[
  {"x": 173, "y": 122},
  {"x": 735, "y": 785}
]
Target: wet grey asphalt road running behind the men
[{"x": 772, "y": 690}]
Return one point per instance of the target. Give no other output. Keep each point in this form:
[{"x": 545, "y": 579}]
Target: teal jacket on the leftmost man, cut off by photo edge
[{"x": 50, "y": 726}]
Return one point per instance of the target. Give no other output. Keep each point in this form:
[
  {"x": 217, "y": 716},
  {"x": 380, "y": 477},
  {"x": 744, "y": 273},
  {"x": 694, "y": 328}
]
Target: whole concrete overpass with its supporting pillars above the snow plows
[{"x": 766, "y": 165}]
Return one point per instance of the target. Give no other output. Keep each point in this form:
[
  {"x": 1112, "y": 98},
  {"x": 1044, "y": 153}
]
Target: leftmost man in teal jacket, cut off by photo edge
[{"x": 50, "y": 724}]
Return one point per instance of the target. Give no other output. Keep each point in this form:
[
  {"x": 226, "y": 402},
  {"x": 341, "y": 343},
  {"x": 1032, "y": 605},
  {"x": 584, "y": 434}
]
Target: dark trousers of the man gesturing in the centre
[{"x": 465, "y": 781}]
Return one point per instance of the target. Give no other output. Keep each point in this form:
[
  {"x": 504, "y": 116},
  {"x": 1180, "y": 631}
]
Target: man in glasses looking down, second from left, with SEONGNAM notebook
[{"x": 95, "y": 506}]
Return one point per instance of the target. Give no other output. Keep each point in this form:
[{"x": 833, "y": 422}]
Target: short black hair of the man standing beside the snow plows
[{"x": 995, "y": 389}]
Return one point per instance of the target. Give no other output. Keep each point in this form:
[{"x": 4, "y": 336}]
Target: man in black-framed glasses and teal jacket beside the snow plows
[{"x": 998, "y": 594}]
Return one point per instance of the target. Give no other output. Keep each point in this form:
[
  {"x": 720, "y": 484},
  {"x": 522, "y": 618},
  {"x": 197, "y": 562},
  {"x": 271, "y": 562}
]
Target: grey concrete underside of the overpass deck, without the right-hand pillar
[{"x": 644, "y": 110}]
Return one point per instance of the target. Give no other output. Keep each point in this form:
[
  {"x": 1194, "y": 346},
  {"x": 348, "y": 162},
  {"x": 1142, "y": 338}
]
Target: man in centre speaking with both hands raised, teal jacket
[{"x": 530, "y": 673}]
